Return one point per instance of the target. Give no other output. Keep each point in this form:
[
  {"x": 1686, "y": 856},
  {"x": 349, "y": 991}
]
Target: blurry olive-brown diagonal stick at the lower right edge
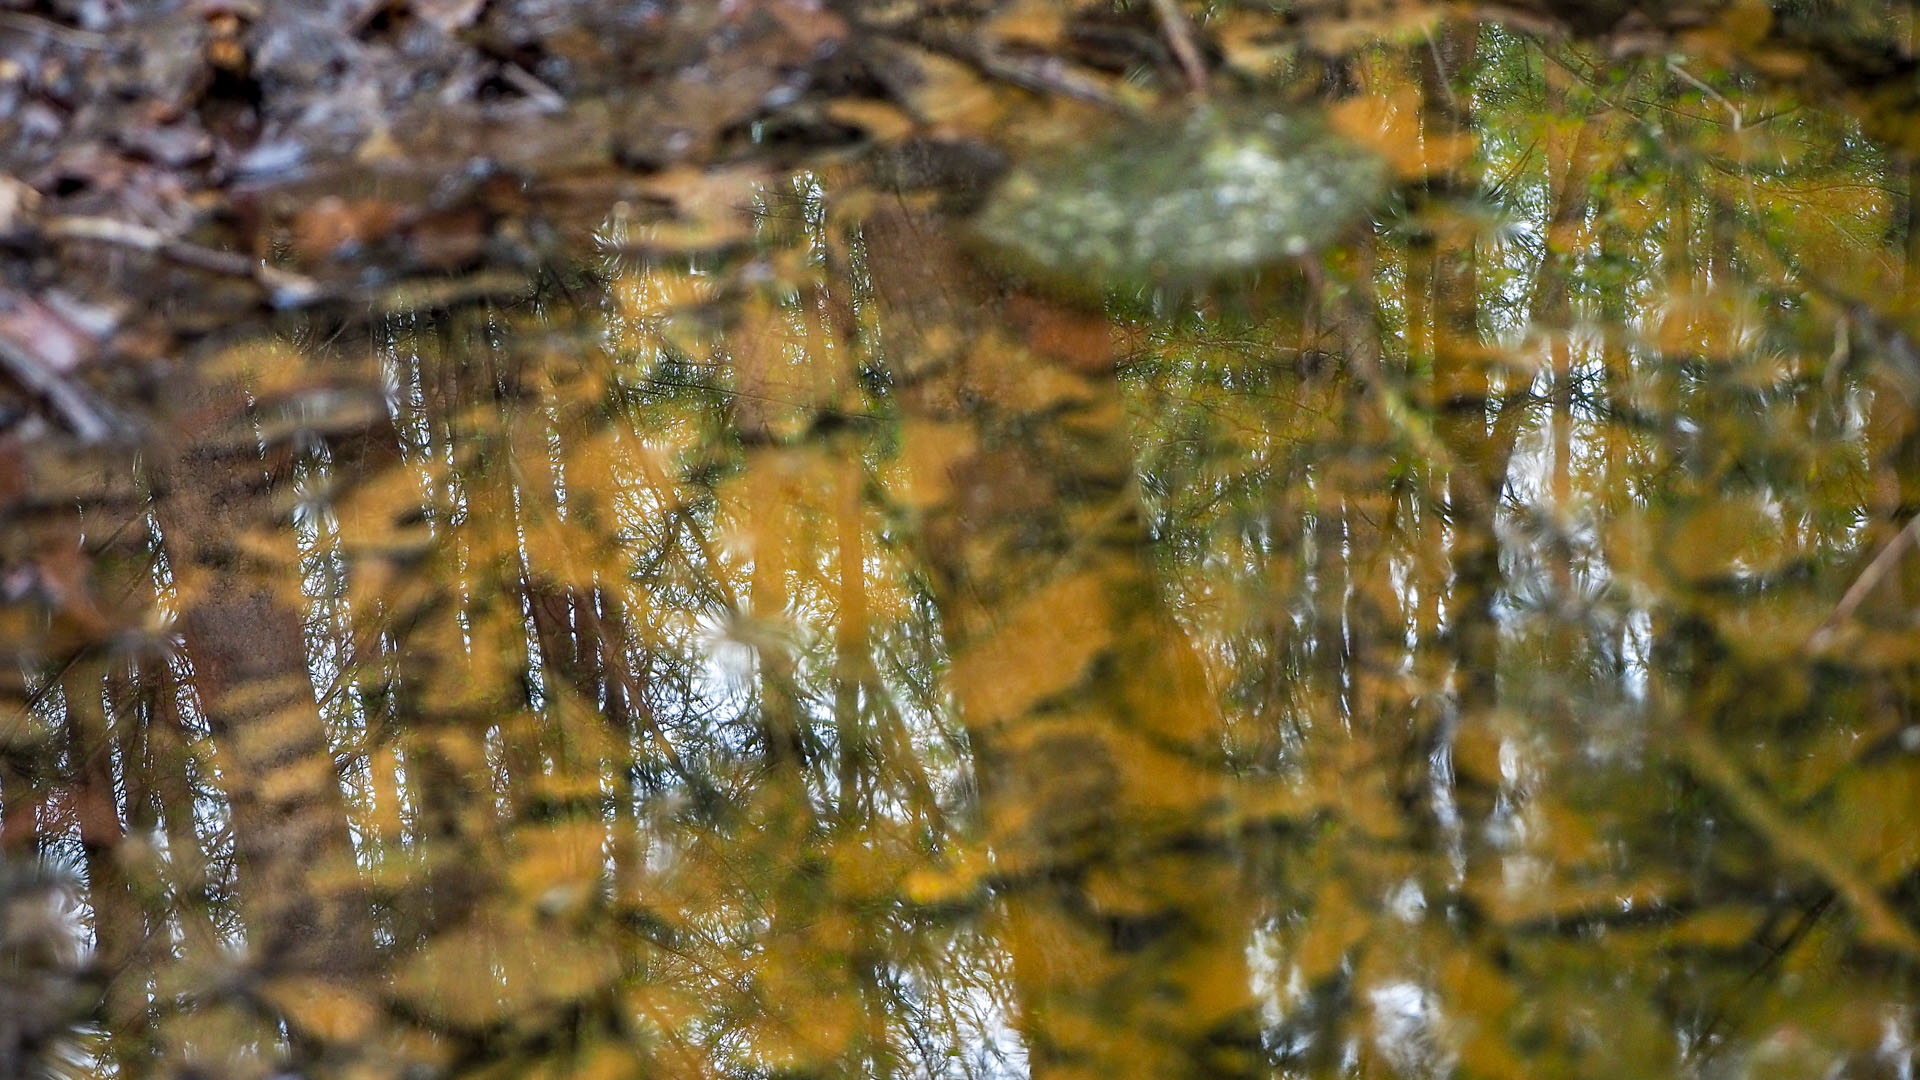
[{"x": 1719, "y": 772}]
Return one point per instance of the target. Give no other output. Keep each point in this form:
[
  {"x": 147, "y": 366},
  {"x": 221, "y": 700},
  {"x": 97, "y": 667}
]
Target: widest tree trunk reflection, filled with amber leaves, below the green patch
[{"x": 1095, "y": 743}]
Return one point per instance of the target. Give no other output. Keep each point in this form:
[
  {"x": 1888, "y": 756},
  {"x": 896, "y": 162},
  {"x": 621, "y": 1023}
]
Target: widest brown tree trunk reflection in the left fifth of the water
[{"x": 245, "y": 637}]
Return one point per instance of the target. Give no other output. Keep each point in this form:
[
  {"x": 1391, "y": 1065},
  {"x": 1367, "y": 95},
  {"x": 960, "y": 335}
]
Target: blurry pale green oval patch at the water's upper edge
[{"x": 1209, "y": 199}]
